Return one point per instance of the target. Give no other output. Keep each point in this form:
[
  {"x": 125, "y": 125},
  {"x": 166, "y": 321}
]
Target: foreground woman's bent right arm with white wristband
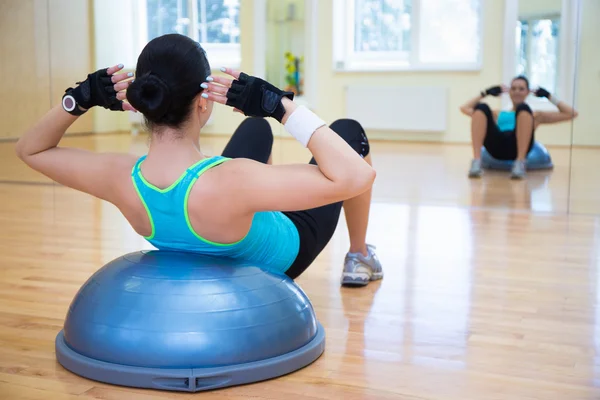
[{"x": 341, "y": 172}]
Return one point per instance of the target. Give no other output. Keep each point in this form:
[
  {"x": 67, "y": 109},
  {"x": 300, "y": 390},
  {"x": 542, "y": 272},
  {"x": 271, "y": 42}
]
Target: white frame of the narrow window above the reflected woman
[{"x": 570, "y": 31}]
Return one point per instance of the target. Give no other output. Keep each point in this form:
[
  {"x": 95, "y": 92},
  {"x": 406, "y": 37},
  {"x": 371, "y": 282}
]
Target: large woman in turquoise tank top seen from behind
[{"x": 235, "y": 205}]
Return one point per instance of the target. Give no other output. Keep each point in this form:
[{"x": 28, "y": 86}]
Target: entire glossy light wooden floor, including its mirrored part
[{"x": 491, "y": 288}]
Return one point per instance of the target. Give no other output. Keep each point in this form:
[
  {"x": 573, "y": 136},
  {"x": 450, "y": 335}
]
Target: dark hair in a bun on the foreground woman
[{"x": 168, "y": 75}]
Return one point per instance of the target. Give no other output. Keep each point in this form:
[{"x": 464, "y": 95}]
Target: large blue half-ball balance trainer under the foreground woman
[{"x": 180, "y": 321}]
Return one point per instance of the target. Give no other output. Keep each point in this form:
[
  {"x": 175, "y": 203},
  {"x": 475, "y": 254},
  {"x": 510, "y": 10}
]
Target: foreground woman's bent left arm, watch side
[{"x": 79, "y": 169}]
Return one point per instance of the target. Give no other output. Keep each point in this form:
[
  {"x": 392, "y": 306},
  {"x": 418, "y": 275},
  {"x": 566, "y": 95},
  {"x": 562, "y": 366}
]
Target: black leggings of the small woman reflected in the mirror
[{"x": 502, "y": 145}]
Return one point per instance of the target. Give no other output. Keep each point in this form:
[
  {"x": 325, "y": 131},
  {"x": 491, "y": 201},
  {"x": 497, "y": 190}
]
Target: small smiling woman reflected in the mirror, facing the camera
[{"x": 509, "y": 135}]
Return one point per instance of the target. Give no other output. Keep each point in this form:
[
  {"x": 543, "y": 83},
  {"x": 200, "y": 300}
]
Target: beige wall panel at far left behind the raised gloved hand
[{"x": 45, "y": 46}]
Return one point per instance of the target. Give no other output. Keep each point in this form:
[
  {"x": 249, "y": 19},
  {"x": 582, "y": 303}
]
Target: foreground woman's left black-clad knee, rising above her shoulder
[{"x": 252, "y": 139}]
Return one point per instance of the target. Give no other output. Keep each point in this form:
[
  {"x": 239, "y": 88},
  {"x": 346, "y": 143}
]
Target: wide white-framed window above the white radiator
[{"x": 407, "y": 34}]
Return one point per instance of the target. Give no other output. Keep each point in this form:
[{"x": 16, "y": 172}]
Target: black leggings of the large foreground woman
[{"x": 254, "y": 139}]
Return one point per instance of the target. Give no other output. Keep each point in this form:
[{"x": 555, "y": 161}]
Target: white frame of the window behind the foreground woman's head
[{"x": 219, "y": 54}]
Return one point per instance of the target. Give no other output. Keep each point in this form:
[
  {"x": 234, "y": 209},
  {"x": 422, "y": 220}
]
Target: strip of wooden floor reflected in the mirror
[{"x": 416, "y": 173}]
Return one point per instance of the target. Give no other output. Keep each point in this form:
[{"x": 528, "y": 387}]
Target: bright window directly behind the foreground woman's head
[{"x": 213, "y": 23}]
